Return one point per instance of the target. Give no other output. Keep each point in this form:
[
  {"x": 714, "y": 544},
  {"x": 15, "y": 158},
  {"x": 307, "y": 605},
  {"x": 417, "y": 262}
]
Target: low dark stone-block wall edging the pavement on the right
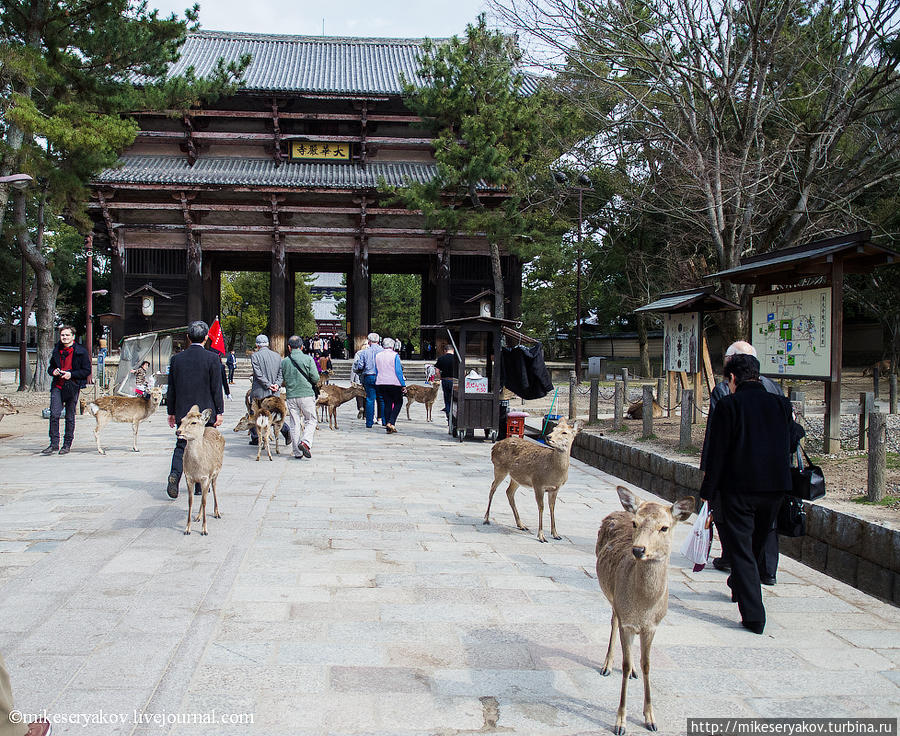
[{"x": 860, "y": 553}]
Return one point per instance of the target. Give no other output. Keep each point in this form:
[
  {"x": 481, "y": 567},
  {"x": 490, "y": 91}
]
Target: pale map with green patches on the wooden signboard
[{"x": 791, "y": 331}]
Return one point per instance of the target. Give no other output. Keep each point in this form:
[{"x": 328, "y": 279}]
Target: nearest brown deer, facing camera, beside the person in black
[{"x": 633, "y": 549}]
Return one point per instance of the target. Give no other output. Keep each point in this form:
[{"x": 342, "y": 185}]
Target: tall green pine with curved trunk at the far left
[{"x": 70, "y": 72}]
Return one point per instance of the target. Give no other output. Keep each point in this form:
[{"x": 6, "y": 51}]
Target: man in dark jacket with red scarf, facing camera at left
[{"x": 70, "y": 366}]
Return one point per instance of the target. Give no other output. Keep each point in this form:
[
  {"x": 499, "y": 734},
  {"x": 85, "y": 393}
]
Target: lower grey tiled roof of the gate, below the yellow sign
[{"x": 263, "y": 172}]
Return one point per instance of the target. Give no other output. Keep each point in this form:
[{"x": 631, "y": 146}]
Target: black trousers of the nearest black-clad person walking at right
[{"x": 747, "y": 519}]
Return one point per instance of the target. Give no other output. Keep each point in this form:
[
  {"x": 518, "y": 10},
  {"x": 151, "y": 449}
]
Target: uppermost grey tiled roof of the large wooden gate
[{"x": 318, "y": 64}]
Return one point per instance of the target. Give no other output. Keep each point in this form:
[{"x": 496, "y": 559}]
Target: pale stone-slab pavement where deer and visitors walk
[{"x": 359, "y": 593}]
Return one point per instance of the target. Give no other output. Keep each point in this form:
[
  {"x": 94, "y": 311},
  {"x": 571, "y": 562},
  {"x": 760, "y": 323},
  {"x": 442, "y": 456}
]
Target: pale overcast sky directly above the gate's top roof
[{"x": 386, "y": 18}]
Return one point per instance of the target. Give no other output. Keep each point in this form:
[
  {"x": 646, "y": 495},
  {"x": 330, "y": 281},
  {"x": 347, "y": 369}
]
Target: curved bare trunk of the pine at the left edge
[{"x": 47, "y": 291}]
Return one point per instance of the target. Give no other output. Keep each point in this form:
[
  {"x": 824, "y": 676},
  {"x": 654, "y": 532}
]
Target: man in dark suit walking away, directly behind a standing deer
[{"x": 195, "y": 377}]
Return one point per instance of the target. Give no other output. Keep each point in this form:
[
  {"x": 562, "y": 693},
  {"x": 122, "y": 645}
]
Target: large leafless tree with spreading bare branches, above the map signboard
[{"x": 747, "y": 126}]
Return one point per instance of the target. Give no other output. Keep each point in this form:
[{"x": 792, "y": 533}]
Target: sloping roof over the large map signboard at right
[{"x": 859, "y": 253}]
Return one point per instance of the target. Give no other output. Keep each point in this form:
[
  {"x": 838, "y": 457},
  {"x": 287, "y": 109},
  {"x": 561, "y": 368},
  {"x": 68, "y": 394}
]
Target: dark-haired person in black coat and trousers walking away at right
[{"x": 747, "y": 473}]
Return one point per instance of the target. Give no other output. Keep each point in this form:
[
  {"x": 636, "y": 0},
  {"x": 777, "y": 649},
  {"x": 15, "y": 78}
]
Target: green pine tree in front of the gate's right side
[{"x": 491, "y": 138}]
